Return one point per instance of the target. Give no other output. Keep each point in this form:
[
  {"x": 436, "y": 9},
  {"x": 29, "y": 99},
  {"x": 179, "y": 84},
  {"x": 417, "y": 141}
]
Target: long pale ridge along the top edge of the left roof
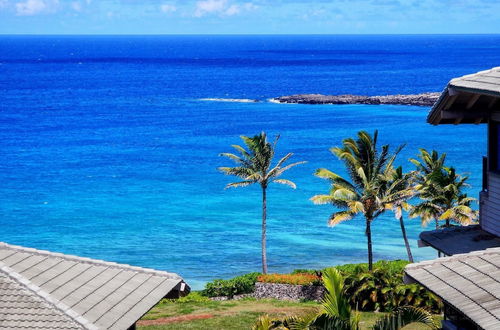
[{"x": 89, "y": 260}]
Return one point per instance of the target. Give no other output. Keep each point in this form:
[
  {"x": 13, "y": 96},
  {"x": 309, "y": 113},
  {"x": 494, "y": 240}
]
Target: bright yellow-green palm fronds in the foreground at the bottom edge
[{"x": 335, "y": 313}]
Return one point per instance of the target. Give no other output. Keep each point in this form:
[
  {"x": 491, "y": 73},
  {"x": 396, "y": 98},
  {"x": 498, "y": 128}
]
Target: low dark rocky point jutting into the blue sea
[{"x": 423, "y": 99}]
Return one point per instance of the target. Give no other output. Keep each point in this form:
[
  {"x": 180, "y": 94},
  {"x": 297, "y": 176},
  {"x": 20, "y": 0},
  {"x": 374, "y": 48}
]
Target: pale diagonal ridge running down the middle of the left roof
[{"x": 46, "y": 297}]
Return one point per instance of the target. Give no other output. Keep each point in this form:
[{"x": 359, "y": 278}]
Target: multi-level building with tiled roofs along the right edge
[{"x": 468, "y": 280}]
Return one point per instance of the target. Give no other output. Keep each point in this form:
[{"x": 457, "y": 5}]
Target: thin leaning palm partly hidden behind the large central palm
[{"x": 403, "y": 183}]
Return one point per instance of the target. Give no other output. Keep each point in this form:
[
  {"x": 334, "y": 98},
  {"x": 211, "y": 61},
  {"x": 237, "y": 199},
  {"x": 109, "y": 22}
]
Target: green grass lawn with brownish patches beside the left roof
[{"x": 199, "y": 313}]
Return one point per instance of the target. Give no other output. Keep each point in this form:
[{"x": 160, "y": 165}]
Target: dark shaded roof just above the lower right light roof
[{"x": 460, "y": 239}]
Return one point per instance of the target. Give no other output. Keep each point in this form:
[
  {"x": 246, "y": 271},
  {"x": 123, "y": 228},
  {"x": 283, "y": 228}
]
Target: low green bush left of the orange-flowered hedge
[{"x": 228, "y": 288}]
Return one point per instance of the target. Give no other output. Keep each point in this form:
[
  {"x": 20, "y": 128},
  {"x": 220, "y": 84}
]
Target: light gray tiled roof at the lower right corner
[{"x": 469, "y": 282}]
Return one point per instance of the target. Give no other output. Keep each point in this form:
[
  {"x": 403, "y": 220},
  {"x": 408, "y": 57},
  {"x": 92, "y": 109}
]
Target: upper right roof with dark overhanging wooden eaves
[{"x": 468, "y": 99}]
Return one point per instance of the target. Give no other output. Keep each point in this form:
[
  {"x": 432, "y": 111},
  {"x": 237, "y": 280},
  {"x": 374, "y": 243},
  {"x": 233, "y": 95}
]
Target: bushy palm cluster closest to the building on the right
[{"x": 440, "y": 189}]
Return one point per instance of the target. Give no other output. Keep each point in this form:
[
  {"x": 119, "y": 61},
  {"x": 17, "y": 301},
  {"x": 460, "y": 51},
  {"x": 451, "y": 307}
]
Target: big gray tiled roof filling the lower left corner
[{"x": 41, "y": 289}]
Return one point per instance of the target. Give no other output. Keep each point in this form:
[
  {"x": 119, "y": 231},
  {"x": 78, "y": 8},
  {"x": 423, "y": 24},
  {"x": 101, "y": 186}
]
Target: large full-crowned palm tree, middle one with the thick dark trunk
[{"x": 371, "y": 189}]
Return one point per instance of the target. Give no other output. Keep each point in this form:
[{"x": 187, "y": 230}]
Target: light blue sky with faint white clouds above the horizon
[{"x": 248, "y": 16}]
